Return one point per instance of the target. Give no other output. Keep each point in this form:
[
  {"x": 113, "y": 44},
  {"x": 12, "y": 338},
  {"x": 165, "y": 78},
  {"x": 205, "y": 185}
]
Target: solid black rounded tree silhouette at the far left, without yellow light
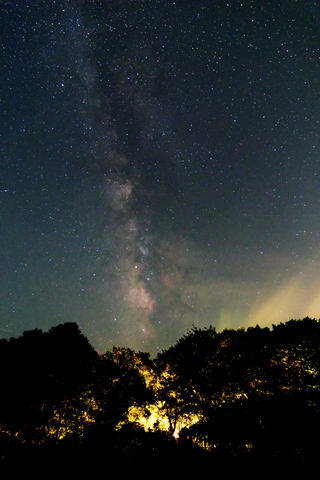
[{"x": 41, "y": 370}]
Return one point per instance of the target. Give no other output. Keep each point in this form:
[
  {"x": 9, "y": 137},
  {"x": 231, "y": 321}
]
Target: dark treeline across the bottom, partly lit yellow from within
[{"x": 243, "y": 397}]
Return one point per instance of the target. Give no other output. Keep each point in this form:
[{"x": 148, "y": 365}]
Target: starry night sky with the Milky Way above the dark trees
[{"x": 159, "y": 166}]
